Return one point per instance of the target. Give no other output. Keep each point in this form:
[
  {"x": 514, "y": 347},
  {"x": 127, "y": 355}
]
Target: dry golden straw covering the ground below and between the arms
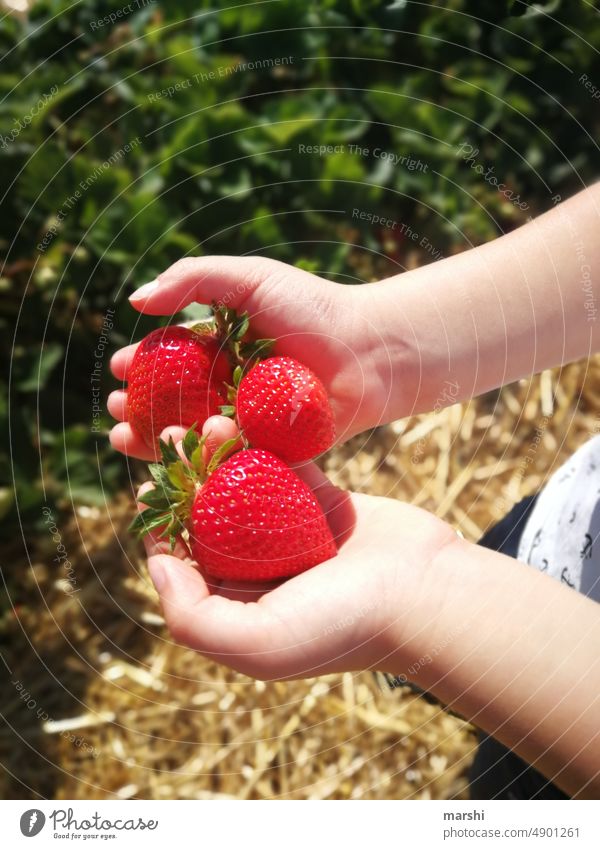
[{"x": 101, "y": 704}]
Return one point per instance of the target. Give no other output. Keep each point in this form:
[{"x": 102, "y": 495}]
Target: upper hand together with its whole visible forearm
[{"x": 415, "y": 342}]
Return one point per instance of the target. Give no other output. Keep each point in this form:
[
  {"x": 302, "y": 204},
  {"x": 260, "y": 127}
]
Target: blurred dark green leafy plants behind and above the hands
[{"x": 115, "y": 176}]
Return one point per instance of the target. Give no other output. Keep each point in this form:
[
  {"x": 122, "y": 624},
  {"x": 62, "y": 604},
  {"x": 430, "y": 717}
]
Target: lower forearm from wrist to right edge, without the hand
[{"x": 517, "y": 653}]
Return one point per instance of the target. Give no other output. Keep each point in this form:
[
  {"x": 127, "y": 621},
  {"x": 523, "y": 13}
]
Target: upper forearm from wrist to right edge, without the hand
[{"x": 522, "y": 303}]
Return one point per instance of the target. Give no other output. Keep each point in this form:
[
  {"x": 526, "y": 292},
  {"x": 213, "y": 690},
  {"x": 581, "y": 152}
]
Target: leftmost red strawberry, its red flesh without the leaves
[{"x": 177, "y": 377}]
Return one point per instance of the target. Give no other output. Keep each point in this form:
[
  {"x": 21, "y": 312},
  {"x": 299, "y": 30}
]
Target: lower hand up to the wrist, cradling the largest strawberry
[{"x": 372, "y": 606}]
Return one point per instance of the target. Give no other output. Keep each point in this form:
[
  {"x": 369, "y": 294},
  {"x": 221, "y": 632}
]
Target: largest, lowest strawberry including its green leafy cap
[{"x": 251, "y": 518}]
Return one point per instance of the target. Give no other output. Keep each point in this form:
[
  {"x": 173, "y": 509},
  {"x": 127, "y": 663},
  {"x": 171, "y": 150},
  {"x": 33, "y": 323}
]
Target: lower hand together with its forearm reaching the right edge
[{"x": 406, "y": 595}]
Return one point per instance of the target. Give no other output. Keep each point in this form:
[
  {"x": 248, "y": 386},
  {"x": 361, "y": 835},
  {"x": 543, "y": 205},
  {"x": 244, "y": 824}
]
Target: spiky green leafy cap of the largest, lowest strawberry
[{"x": 169, "y": 503}]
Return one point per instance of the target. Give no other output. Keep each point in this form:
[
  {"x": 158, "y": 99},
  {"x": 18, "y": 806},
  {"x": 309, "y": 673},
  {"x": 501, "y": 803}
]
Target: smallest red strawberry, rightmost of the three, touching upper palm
[{"x": 283, "y": 407}]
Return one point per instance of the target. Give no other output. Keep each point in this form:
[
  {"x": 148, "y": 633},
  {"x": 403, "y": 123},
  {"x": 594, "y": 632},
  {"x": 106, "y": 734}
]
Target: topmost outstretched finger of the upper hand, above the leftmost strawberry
[{"x": 230, "y": 280}]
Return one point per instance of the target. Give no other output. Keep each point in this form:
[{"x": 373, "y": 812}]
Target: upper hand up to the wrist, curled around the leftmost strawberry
[{"x": 324, "y": 325}]
